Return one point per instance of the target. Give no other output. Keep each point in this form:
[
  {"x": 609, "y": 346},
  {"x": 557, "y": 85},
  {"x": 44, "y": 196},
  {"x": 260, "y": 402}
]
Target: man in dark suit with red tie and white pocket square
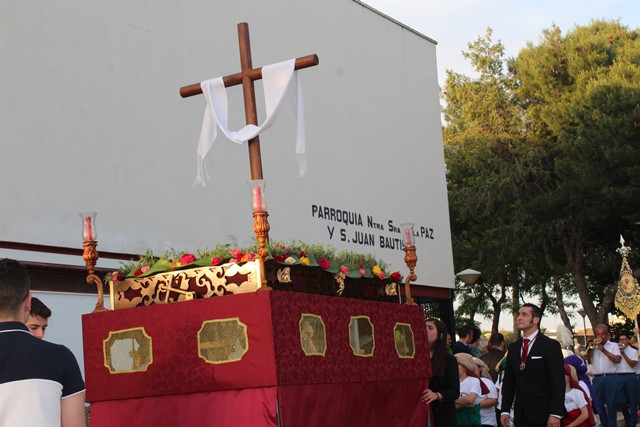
[{"x": 534, "y": 376}]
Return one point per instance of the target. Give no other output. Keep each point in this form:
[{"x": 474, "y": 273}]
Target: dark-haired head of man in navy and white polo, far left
[{"x": 15, "y": 296}]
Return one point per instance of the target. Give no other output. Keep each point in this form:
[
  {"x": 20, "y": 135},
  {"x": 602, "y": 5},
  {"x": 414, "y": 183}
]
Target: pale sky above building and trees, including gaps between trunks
[{"x": 455, "y": 23}]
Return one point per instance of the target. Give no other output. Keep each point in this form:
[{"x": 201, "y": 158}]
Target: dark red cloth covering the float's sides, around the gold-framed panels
[{"x": 178, "y": 384}]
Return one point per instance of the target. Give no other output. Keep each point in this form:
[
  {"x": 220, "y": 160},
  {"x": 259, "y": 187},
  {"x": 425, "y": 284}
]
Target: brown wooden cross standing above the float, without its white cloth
[{"x": 246, "y": 77}]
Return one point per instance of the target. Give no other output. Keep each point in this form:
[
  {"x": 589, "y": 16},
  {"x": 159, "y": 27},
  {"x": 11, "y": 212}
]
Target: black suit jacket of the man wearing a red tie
[{"x": 539, "y": 389}]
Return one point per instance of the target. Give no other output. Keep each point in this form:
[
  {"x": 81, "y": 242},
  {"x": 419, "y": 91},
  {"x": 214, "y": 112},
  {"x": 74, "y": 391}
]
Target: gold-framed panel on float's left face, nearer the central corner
[{"x": 222, "y": 340}]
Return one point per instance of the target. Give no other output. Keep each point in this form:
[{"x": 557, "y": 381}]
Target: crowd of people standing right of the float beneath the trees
[{"x": 533, "y": 382}]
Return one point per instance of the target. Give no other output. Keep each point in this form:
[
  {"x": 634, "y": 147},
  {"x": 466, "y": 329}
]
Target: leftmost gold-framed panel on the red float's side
[{"x": 127, "y": 350}]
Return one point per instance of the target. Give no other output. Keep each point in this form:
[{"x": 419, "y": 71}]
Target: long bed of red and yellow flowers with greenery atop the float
[{"x": 349, "y": 263}]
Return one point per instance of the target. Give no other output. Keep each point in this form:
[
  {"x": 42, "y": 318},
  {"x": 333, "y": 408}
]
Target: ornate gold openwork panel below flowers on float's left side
[{"x": 184, "y": 285}]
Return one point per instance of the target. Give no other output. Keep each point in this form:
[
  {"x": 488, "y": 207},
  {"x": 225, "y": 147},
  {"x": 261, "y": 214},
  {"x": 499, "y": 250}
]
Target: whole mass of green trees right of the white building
[{"x": 541, "y": 165}]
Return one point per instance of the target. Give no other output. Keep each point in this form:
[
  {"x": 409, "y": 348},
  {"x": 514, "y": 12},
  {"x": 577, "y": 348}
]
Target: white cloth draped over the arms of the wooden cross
[{"x": 281, "y": 89}]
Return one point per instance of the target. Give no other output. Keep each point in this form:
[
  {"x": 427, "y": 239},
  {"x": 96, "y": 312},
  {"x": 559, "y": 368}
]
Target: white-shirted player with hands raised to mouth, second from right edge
[{"x": 605, "y": 360}]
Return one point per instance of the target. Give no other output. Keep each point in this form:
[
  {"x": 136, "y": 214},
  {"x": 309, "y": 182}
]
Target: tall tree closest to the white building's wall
[{"x": 486, "y": 177}]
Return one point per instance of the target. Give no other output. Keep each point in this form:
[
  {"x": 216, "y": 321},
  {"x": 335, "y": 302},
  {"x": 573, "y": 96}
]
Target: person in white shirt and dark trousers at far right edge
[{"x": 628, "y": 382}]
